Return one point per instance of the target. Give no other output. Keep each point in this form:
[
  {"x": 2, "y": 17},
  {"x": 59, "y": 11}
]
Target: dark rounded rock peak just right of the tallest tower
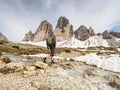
[{"x": 82, "y": 33}]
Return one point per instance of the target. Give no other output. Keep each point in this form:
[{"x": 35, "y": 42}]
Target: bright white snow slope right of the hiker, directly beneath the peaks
[{"x": 91, "y": 42}]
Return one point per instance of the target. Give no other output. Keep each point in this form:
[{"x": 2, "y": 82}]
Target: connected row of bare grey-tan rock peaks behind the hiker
[{"x": 64, "y": 30}]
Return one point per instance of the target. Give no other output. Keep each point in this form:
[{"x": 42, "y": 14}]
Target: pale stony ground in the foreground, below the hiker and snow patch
[{"x": 64, "y": 75}]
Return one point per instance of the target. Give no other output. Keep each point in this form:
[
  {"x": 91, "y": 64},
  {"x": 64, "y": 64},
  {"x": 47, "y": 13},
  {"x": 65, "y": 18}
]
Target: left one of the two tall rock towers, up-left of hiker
[{"x": 43, "y": 31}]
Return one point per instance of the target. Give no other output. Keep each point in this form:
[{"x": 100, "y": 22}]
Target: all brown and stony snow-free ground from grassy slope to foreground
[{"x": 22, "y": 68}]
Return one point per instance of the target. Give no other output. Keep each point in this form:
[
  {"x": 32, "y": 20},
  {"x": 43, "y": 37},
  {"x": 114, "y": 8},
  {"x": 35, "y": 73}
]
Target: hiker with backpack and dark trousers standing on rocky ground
[{"x": 51, "y": 44}]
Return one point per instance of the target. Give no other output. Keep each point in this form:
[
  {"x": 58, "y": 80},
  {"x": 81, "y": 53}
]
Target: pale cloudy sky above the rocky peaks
[{"x": 17, "y": 17}]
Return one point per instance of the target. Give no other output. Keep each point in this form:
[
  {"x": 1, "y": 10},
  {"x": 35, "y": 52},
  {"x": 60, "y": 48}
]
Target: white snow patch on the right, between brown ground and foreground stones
[{"x": 111, "y": 63}]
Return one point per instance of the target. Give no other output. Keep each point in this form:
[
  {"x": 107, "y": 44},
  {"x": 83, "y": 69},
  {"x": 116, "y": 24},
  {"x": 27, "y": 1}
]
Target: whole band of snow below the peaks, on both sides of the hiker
[{"x": 74, "y": 43}]
